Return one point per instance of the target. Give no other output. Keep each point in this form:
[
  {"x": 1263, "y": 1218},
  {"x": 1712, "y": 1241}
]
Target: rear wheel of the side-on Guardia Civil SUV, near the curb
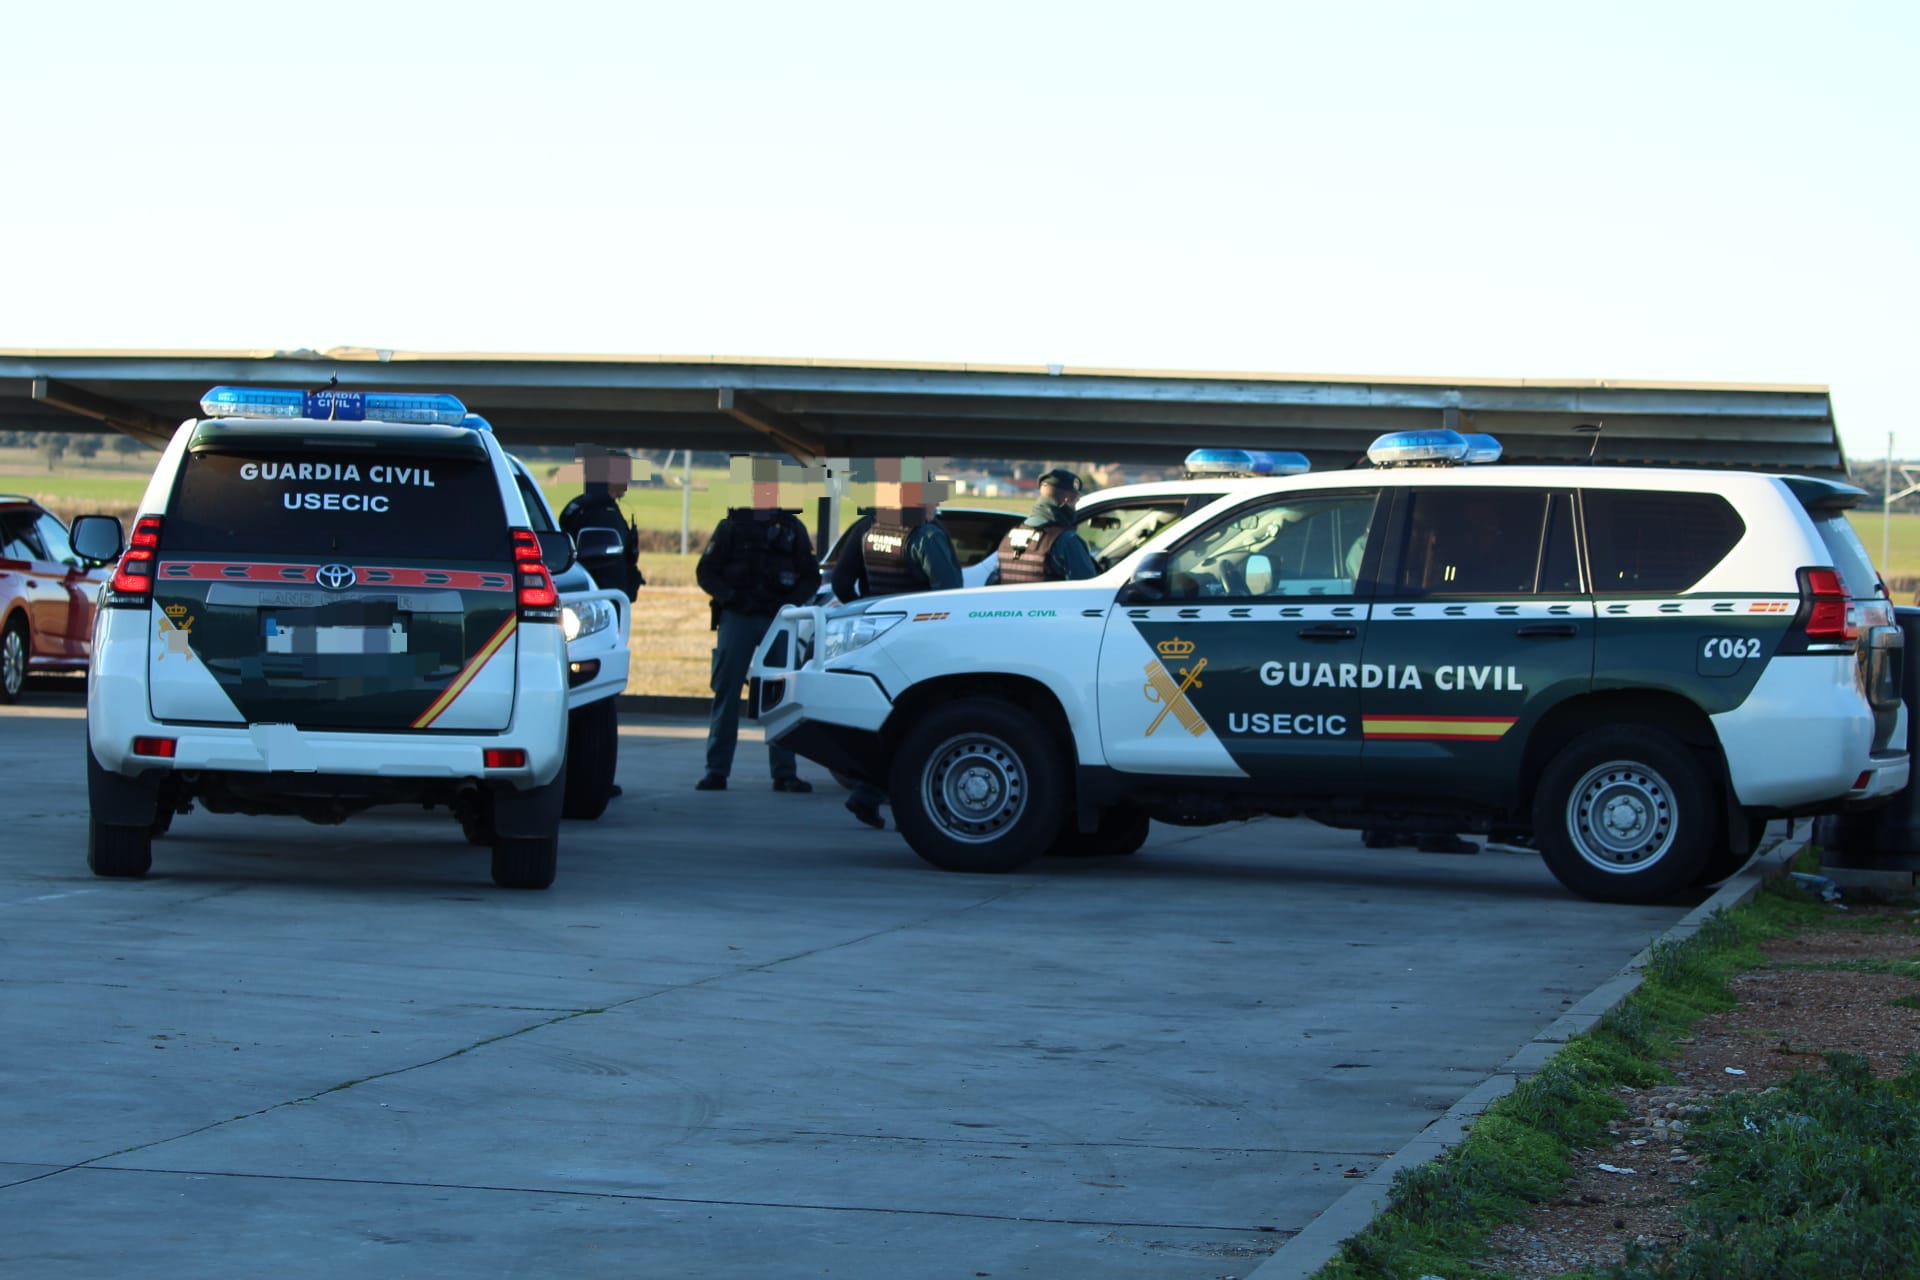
[{"x": 1627, "y": 815}]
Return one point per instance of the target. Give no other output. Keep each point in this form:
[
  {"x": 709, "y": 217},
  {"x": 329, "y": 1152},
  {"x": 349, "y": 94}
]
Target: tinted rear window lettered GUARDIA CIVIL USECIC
[{"x": 316, "y": 502}]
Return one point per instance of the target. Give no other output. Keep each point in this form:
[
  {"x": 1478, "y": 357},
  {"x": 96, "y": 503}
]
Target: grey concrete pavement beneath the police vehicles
[{"x": 740, "y": 1037}]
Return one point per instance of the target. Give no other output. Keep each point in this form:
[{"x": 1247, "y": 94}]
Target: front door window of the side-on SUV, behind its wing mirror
[{"x": 1295, "y": 546}]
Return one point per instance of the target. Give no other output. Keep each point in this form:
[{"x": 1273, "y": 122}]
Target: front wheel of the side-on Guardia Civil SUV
[{"x": 978, "y": 786}]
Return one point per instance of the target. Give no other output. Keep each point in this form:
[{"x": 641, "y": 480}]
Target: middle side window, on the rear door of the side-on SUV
[{"x": 1487, "y": 542}]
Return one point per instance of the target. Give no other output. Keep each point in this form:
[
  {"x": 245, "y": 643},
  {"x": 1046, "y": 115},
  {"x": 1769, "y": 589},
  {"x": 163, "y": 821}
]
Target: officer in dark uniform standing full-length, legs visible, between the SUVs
[{"x": 757, "y": 561}]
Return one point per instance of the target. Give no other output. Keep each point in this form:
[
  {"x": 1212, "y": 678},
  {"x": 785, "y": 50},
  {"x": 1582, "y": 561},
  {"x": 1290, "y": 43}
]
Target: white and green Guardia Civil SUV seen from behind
[{"x": 329, "y": 602}]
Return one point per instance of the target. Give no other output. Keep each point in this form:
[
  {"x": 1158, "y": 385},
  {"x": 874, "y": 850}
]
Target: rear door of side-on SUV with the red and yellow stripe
[{"x": 1479, "y": 627}]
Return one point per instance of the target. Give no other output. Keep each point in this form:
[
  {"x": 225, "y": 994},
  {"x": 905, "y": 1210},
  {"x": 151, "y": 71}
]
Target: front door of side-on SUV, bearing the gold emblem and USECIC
[{"x": 1251, "y": 665}]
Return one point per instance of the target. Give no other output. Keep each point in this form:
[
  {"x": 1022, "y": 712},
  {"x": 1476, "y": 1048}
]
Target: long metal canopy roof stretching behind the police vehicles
[{"x": 888, "y": 410}]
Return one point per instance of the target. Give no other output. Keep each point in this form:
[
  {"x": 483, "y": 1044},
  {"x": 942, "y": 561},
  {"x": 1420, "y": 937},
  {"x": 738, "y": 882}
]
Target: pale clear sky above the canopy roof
[{"x": 1708, "y": 193}]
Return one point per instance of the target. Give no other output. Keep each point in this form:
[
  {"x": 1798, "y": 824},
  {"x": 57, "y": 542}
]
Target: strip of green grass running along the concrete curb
[{"x": 1518, "y": 1154}]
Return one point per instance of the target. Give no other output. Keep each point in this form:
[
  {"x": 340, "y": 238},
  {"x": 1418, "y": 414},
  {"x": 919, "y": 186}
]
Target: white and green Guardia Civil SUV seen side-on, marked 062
[{"x": 1637, "y": 665}]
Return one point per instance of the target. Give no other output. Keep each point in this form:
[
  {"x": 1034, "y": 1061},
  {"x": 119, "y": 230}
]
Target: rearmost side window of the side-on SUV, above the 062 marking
[{"x": 1656, "y": 544}]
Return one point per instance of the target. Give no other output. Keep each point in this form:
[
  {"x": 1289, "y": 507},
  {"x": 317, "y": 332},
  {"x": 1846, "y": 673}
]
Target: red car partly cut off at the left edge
[{"x": 47, "y": 596}]
